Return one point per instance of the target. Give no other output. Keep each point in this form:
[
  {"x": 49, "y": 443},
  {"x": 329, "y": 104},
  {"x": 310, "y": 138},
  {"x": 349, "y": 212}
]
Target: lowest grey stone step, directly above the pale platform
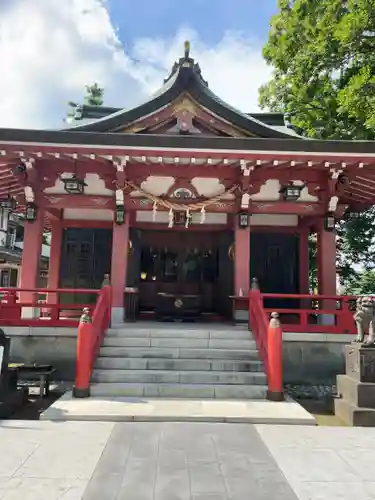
[{"x": 194, "y": 391}]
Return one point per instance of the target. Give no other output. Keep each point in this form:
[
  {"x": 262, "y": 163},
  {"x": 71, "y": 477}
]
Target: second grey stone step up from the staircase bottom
[{"x": 179, "y": 377}]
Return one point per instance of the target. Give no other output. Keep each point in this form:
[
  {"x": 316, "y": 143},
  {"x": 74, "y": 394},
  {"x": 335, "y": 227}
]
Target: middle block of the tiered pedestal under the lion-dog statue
[{"x": 361, "y": 394}]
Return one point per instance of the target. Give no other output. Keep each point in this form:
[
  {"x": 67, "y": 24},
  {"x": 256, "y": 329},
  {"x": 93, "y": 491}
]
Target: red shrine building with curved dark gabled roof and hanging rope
[{"x": 183, "y": 197}]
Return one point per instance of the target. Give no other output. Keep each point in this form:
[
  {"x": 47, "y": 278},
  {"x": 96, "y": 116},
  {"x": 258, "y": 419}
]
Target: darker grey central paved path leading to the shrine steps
[{"x": 187, "y": 462}]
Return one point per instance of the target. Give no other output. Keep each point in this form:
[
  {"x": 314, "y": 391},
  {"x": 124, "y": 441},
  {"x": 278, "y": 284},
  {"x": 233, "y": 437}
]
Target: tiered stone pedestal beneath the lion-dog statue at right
[{"x": 355, "y": 404}]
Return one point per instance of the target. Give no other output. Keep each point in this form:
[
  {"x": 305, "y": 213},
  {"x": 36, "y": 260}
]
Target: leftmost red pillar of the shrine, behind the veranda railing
[{"x": 31, "y": 253}]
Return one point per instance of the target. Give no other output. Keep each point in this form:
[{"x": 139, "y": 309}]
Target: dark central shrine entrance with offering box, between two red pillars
[{"x": 179, "y": 272}]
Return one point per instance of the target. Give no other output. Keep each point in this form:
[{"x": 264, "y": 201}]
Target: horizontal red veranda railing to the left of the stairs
[{"x": 41, "y": 306}]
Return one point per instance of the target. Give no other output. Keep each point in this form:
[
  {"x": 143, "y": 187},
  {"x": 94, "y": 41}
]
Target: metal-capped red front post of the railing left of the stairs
[{"x": 81, "y": 387}]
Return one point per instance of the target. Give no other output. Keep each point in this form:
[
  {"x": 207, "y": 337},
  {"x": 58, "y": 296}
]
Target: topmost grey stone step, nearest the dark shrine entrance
[{"x": 235, "y": 333}]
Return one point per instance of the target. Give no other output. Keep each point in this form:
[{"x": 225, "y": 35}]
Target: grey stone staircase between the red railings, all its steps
[{"x": 179, "y": 361}]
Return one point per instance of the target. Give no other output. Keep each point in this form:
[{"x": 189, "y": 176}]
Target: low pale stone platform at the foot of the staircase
[{"x": 177, "y": 410}]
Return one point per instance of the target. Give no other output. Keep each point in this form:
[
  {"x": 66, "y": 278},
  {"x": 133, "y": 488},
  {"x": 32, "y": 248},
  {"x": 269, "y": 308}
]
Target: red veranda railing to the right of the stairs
[{"x": 315, "y": 314}]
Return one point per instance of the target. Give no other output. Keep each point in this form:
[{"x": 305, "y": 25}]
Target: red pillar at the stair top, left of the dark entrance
[{"x": 119, "y": 268}]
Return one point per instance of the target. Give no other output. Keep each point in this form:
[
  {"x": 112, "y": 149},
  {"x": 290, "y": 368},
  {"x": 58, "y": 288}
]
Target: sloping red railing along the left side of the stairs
[{"x": 89, "y": 340}]
